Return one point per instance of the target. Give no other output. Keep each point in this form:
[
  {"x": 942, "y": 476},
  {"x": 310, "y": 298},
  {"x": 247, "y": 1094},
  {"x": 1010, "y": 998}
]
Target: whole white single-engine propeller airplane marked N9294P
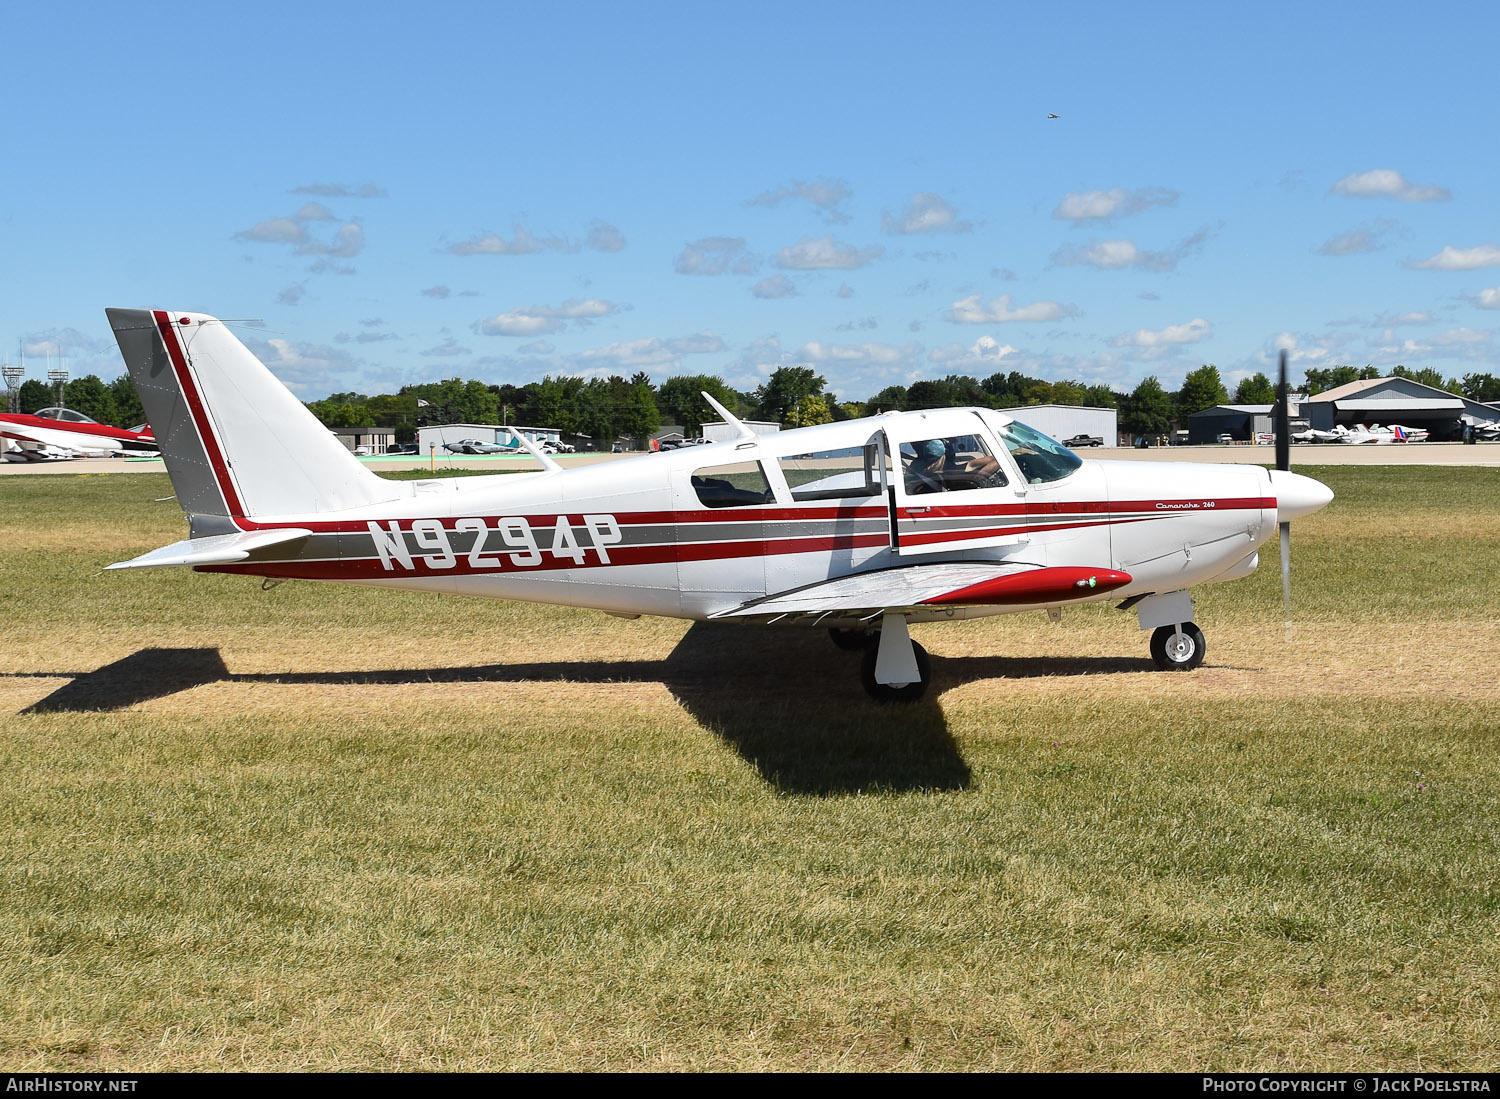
[{"x": 862, "y": 527}]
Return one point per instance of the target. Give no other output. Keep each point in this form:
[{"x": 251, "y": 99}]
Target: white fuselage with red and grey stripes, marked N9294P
[{"x": 635, "y": 536}]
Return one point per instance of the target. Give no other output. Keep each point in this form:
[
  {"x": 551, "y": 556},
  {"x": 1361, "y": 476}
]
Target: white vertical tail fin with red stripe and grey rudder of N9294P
[{"x": 235, "y": 440}]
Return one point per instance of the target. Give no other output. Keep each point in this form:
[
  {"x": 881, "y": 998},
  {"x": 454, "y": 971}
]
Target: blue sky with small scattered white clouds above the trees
[{"x": 413, "y": 193}]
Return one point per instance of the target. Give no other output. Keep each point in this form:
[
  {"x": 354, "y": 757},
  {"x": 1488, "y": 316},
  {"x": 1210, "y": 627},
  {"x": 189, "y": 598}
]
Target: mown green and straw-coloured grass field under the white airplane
[{"x": 325, "y": 827}]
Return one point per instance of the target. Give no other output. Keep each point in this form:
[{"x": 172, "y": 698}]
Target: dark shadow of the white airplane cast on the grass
[{"x": 787, "y": 701}]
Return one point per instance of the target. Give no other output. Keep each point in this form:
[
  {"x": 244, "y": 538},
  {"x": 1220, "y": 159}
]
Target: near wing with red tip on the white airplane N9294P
[{"x": 926, "y": 587}]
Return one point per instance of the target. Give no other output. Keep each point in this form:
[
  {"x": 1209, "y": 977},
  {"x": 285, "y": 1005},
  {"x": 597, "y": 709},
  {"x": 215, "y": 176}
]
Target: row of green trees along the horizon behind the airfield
[{"x": 797, "y": 397}]
